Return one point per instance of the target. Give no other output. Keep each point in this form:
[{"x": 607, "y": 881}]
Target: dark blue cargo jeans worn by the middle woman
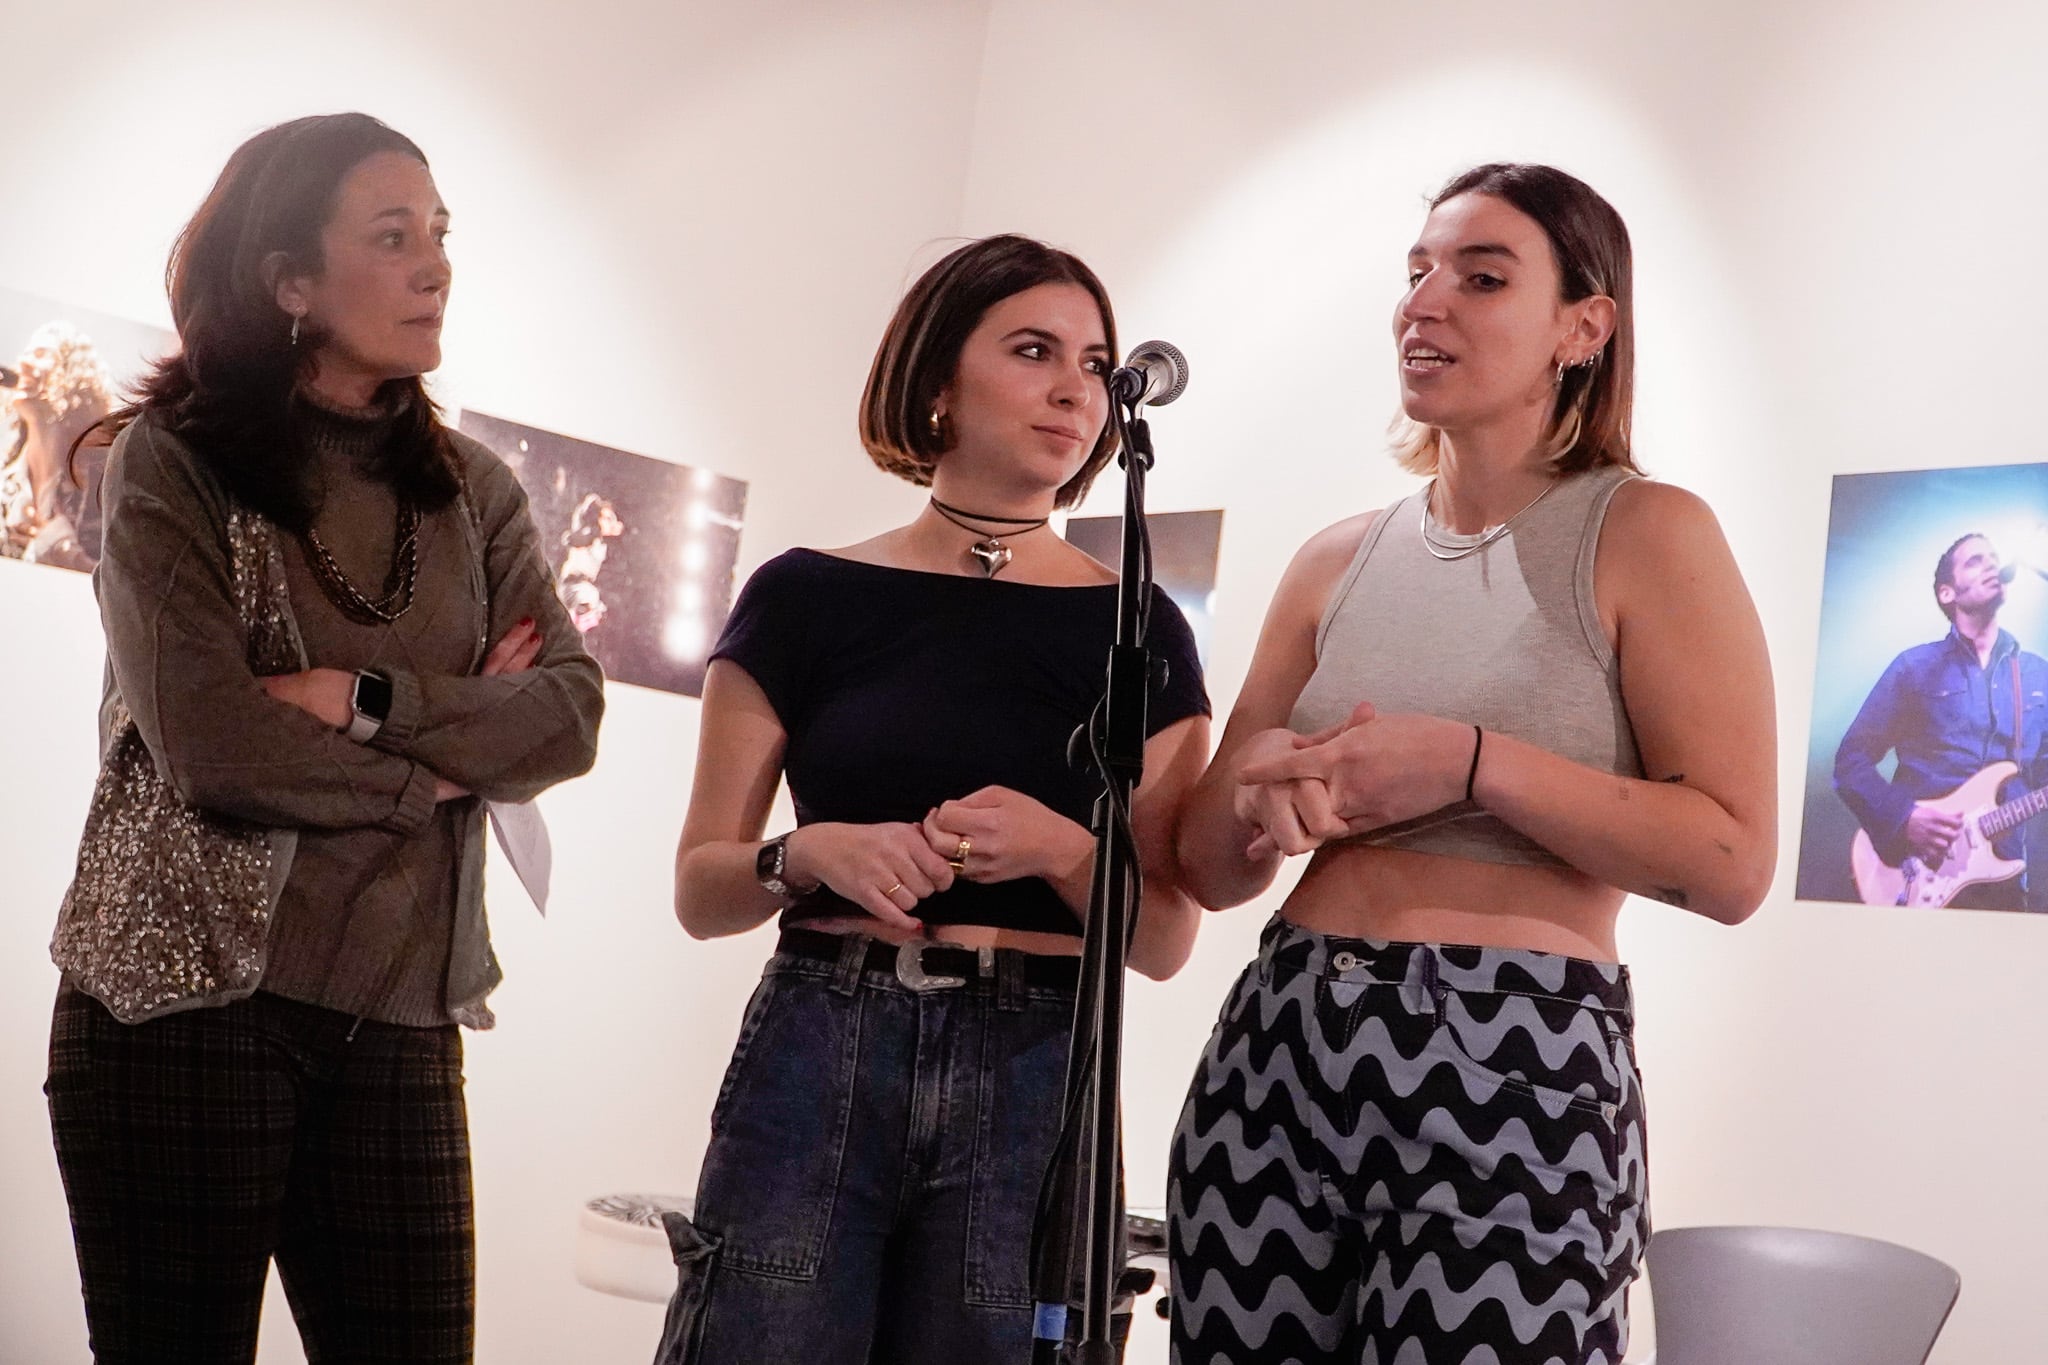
[{"x": 873, "y": 1168}]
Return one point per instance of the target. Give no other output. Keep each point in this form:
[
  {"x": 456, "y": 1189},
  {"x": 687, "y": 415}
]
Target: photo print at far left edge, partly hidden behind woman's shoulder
[{"x": 62, "y": 369}]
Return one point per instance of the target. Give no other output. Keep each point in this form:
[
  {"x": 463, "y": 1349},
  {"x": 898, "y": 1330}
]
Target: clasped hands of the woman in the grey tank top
[{"x": 1369, "y": 770}]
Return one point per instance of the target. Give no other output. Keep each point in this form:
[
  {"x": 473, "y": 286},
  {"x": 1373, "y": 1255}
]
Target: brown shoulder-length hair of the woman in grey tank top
[{"x": 1590, "y": 245}]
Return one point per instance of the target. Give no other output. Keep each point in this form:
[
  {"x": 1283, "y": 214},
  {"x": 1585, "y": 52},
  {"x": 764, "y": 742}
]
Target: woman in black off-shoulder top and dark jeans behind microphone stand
[{"x": 892, "y": 1104}]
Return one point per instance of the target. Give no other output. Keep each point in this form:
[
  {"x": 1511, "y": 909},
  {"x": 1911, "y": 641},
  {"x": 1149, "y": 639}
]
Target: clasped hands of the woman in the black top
[{"x": 888, "y": 869}]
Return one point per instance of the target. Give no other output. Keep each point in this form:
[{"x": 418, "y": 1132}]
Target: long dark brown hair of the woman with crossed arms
[{"x": 228, "y": 392}]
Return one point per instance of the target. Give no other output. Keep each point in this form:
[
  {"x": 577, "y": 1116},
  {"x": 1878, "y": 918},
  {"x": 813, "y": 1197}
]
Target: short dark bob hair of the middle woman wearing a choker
[{"x": 923, "y": 349}]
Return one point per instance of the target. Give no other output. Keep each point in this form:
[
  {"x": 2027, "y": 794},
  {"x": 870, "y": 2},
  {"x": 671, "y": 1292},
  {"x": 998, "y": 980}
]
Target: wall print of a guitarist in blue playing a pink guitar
[{"x": 1928, "y": 760}]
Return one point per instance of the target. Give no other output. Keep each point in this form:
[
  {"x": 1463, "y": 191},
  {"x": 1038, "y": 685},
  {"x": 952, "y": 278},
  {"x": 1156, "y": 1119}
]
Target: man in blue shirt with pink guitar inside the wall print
[{"x": 1951, "y": 711}]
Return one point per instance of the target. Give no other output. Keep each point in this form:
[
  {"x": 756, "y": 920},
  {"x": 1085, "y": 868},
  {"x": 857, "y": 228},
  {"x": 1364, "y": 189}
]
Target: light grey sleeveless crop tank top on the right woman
[{"x": 1506, "y": 637}]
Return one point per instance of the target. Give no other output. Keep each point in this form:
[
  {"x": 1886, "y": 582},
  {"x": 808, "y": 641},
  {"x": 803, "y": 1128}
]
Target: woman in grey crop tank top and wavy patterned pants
[{"x": 1490, "y": 713}]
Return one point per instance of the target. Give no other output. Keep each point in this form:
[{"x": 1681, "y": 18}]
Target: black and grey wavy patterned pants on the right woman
[{"x": 1410, "y": 1155}]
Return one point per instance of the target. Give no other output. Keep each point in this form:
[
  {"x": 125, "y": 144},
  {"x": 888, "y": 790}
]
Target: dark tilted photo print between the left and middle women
[{"x": 642, "y": 549}]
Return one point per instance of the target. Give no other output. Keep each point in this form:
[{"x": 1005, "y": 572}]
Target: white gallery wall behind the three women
[{"x": 679, "y": 232}]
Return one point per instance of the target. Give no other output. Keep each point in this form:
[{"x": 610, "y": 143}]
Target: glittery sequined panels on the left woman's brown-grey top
[{"x": 171, "y": 906}]
